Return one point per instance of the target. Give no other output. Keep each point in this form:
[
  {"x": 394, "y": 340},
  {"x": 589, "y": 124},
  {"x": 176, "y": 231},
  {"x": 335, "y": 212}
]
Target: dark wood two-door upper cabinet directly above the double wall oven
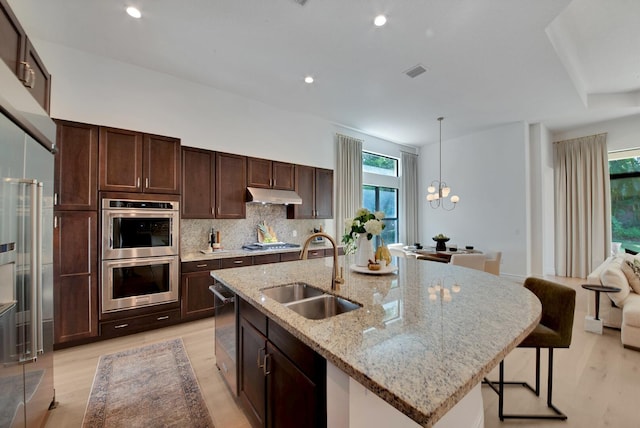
[{"x": 134, "y": 162}]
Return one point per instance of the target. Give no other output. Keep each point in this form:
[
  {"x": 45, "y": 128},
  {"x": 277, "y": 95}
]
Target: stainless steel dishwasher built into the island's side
[{"x": 226, "y": 336}]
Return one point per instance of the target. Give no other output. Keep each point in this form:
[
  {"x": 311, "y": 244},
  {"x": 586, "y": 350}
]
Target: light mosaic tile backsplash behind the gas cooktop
[{"x": 194, "y": 233}]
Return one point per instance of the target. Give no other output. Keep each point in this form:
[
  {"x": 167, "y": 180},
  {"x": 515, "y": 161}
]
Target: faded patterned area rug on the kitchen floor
[{"x": 152, "y": 386}]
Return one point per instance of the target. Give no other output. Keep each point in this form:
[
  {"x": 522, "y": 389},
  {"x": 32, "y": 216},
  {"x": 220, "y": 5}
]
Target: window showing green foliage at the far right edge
[{"x": 625, "y": 202}]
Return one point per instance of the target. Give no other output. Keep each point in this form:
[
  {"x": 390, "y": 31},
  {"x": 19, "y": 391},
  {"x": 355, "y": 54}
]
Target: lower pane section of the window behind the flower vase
[{"x": 383, "y": 199}]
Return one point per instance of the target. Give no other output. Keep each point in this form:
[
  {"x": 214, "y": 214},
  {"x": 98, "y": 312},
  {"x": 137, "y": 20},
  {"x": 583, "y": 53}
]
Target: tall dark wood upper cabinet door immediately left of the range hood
[{"x": 231, "y": 186}]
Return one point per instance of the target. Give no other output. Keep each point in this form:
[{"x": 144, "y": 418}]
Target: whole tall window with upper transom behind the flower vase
[{"x": 380, "y": 192}]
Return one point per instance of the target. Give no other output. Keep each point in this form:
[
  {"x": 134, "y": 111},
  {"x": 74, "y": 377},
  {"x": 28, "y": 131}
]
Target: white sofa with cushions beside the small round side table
[{"x": 620, "y": 310}]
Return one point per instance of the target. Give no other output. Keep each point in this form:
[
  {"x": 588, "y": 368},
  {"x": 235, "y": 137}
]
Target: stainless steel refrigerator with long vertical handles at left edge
[{"x": 26, "y": 266}]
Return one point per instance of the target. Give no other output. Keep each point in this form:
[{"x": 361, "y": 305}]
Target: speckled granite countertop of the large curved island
[{"x": 420, "y": 355}]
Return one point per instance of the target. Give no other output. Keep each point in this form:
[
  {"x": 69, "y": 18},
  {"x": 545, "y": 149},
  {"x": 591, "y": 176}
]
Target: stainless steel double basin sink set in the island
[{"x": 310, "y": 302}]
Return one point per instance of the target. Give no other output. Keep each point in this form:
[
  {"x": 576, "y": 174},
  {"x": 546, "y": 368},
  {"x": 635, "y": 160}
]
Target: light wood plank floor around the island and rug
[{"x": 596, "y": 381}]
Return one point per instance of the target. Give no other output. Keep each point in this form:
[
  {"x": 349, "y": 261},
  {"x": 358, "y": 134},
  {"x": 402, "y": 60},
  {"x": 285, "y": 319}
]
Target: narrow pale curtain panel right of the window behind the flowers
[{"x": 409, "y": 198}]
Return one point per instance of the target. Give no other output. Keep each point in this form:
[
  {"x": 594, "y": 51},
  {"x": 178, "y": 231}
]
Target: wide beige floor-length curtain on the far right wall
[{"x": 583, "y": 208}]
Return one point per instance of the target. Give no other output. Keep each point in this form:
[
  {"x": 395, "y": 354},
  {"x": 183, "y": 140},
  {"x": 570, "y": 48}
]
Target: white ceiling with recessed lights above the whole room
[{"x": 490, "y": 62}]
